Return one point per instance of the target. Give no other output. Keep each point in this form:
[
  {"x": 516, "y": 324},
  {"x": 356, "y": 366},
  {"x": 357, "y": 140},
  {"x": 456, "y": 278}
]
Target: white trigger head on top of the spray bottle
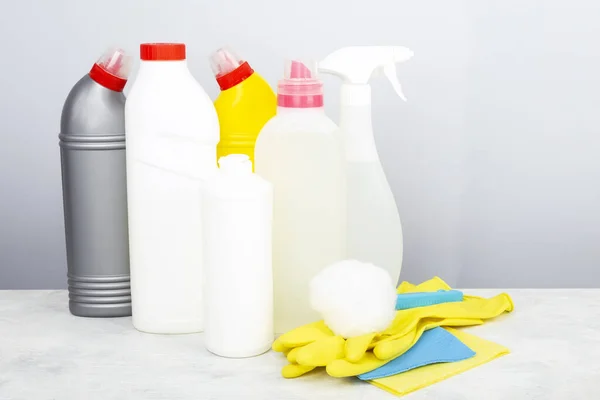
[{"x": 356, "y": 64}]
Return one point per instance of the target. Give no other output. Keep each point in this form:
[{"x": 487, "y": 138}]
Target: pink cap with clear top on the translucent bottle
[{"x": 299, "y": 87}]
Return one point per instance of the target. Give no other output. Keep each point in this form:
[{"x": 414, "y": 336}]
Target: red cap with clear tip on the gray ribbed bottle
[{"x": 112, "y": 69}]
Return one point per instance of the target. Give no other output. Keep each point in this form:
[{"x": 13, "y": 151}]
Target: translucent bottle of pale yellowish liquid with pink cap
[{"x": 299, "y": 153}]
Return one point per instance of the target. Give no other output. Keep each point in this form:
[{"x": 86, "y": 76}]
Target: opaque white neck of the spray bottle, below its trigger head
[{"x": 356, "y": 124}]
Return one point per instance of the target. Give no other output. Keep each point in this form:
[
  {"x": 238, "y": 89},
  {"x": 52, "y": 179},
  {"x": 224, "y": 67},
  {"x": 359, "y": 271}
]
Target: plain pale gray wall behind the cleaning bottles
[{"x": 494, "y": 160}]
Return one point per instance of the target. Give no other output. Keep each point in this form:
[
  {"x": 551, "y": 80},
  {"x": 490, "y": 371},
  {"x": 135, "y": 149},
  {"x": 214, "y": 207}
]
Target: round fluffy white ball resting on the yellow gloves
[{"x": 354, "y": 298}]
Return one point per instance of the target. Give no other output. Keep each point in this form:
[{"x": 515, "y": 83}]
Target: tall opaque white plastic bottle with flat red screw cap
[{"x": 172, "y": 134}]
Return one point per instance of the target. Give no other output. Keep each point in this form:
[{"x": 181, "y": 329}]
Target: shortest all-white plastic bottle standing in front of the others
[{"x": 238, "y": 284}]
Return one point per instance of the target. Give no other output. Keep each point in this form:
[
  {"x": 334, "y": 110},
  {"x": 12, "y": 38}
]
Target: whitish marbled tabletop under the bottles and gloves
[{"x": 47, "y": 354}]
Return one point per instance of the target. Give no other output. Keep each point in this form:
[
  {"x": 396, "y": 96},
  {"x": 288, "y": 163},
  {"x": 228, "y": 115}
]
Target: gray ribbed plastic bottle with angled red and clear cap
[{"x": 92, "y": 149}]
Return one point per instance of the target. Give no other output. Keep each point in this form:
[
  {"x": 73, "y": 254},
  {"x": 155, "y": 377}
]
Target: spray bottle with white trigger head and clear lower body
[{"x": 374, "y": 227}]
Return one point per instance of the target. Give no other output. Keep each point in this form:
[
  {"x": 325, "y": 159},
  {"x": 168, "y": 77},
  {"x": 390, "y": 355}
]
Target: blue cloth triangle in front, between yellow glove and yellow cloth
[{"x": 436, "y": 345}]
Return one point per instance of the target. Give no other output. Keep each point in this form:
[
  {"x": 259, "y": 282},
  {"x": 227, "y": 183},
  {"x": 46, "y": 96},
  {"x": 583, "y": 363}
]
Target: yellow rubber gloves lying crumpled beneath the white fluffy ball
[{"x": 315, "y": 345}]
